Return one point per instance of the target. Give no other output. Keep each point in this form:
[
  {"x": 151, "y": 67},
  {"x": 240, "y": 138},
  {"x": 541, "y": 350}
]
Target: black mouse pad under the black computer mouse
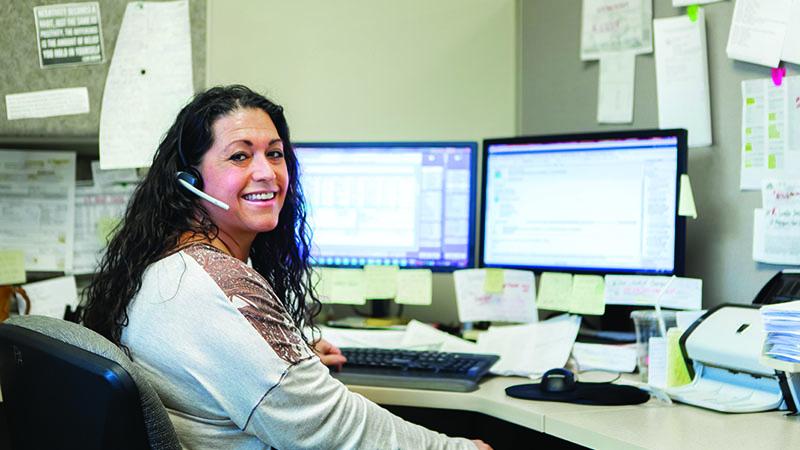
[{"x": 584, "y": 394}]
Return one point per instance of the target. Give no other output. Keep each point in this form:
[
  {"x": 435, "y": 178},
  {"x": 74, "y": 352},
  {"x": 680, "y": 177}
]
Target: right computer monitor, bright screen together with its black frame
[{"x": 596, "y": 203}]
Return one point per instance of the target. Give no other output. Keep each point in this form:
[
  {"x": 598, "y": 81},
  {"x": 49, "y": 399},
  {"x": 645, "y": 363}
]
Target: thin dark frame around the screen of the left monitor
[{"x": 473, "y": 168}]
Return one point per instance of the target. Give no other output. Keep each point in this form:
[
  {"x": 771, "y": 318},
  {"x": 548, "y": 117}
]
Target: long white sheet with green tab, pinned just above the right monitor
[{"x": 682, "y": 76}]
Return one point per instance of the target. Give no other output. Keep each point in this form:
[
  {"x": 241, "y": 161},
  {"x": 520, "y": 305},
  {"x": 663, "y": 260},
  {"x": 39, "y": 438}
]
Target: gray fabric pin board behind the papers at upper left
[{"x": 22, "y": 73}]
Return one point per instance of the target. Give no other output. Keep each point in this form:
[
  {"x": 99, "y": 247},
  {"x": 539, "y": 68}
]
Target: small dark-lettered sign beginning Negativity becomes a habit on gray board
[{"x": 69, "y": 34}]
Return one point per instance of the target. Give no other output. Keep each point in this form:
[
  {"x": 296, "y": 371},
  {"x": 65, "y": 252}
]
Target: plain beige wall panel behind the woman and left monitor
[{"x": 366, "y": 70}]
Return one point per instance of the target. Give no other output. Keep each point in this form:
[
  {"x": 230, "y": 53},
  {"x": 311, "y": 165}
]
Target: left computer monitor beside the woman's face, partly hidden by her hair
[{"x": 390, "y": 203}]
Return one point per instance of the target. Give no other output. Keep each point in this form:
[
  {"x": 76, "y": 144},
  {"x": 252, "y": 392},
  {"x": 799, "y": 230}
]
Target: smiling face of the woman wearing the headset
[{"x": 245, "y": 168}]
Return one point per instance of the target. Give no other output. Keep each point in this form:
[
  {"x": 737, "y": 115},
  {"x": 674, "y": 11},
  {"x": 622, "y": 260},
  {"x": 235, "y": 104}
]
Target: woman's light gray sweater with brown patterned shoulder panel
[{"x": 233, "y": 371}]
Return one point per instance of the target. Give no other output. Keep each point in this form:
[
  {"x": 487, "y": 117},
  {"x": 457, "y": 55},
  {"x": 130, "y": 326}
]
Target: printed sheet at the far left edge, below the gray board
[{"x": 39, "y": 207}]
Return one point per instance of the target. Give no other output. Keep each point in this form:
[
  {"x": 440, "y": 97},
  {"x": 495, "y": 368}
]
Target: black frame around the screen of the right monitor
[{"x": 680, "y": 221}]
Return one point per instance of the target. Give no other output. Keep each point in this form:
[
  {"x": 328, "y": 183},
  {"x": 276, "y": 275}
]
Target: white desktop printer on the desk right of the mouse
[{"x": 722, "y": 350}]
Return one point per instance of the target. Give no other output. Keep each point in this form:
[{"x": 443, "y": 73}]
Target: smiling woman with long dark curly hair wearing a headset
[{"x": 224, "y": 343}]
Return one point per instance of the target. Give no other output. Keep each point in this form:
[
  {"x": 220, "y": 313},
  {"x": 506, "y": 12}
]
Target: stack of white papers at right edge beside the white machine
[{"x": 782, "y": 327}]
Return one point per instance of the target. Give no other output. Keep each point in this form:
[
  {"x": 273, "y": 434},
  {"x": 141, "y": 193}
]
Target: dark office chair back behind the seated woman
[{"x": 65, "y": 386}]
